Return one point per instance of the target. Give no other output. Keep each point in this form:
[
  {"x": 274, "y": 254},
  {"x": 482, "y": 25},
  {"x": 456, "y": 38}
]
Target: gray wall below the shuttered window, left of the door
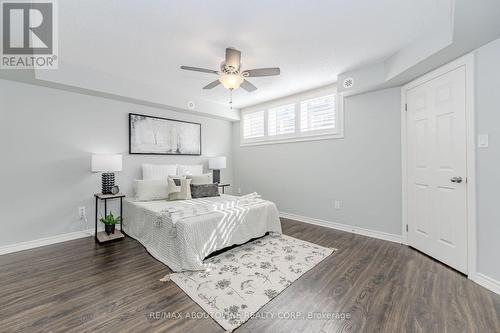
[{"x": 363, "y": 170}]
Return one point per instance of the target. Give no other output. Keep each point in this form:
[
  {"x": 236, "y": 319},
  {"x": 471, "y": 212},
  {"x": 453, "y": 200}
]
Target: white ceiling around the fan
[{"x": 130, "y": 47}]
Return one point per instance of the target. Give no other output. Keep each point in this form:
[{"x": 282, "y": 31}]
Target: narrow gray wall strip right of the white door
[{"x": 488, "y": 160}]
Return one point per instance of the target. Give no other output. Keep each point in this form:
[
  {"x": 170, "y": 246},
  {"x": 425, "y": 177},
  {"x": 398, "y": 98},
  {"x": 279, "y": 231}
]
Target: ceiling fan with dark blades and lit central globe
[{"x": 231, "y": 76}]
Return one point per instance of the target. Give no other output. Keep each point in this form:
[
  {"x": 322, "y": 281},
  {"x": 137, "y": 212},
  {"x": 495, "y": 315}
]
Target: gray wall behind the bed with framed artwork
[{"x": 47, "y": 137}]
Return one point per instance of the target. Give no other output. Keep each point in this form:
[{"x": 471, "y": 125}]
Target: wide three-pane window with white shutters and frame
[{"x": 297, "y": 119}]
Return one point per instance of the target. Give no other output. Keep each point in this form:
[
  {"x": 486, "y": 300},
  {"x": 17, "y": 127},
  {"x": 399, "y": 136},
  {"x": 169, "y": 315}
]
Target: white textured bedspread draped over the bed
[{"x": 182, "y": 233}]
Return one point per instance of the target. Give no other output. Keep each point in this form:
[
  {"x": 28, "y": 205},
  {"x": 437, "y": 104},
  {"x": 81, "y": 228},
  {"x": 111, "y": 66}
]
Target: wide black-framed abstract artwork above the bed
[{"x": 161, "y": 136}]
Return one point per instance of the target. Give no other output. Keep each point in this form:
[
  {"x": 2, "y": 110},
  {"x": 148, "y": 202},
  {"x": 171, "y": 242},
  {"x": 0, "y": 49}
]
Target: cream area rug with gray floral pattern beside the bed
[{"x": 245, "y": 278}]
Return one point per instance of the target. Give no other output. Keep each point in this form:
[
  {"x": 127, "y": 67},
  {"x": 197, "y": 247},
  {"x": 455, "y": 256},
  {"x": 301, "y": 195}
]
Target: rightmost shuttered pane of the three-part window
[{"x": 317, "y": 114}]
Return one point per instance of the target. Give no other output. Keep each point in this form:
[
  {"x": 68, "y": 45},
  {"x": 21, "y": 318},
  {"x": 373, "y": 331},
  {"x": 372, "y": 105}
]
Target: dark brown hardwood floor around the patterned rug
[{"x": 78, "y": 286}]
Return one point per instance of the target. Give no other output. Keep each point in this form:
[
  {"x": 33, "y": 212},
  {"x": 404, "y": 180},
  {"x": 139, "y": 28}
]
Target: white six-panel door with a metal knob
[{"x": 436, "y": 168}]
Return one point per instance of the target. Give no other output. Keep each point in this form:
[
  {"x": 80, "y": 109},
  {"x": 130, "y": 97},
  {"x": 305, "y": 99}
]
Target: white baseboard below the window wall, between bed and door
[{"x": 344, "y": 227}]
